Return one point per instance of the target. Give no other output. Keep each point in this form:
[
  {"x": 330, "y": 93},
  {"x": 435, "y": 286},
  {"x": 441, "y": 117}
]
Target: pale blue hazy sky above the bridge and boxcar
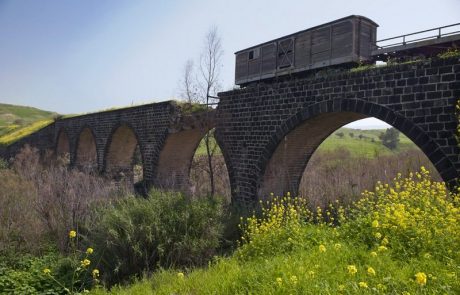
[{"x": 73, "y": 56}]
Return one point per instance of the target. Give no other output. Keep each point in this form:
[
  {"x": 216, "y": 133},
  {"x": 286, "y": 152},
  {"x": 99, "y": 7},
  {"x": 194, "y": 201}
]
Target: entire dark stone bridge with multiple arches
[{"x": 268, "y": 131}]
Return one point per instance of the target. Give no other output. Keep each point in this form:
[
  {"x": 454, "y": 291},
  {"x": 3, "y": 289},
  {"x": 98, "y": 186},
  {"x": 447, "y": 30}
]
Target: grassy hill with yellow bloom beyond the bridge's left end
[{"x": 18, "y": 121}]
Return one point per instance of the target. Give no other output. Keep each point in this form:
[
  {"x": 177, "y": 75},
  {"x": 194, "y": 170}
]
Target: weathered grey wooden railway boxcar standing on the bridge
[{"x": 346, "y": 40}]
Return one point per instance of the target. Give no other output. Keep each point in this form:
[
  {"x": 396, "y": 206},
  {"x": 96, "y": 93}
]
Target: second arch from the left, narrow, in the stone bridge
[{"x": 86, "y": 150}]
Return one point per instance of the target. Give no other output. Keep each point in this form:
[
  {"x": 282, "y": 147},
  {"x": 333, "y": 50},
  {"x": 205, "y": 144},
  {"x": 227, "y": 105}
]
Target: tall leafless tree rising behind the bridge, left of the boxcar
[{"x": 203, "y": 88}]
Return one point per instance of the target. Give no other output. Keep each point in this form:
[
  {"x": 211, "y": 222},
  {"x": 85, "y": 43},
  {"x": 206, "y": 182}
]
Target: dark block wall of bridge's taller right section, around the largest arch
[{"x": 417, "y": 98}]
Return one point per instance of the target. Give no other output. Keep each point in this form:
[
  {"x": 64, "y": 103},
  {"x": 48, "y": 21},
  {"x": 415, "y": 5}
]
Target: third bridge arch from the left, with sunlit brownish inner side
[{"x": 119, "y": 151}]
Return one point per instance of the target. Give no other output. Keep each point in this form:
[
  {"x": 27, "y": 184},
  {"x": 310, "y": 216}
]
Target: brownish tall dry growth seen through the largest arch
[{"x": 339, "y": 175}]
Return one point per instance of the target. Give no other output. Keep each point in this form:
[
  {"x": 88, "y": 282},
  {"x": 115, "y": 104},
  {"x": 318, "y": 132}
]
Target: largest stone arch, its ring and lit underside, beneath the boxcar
[{"x": 288, "y": 150}]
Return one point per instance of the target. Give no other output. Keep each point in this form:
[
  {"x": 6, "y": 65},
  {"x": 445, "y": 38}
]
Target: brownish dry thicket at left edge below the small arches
[{"x": 44, "y": 200}]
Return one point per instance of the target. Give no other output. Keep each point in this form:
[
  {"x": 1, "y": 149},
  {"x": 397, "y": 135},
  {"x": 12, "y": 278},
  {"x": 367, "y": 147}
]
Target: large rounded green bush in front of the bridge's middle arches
[{"x": 167, "y": 229}]
